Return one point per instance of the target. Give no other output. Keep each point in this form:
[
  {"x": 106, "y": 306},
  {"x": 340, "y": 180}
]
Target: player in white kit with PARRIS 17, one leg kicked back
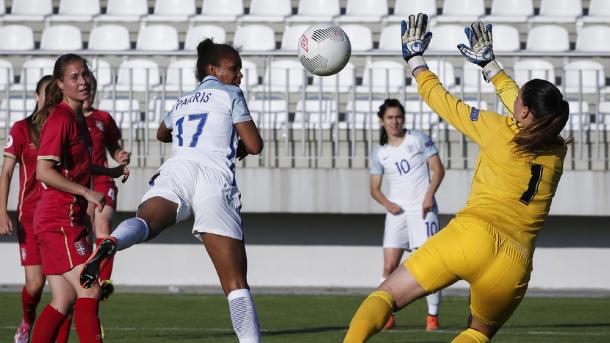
[{"x": 199, "y": 179}]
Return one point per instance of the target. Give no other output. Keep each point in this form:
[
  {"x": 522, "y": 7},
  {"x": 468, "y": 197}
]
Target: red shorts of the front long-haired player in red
[{"x": 63, "y": 248}]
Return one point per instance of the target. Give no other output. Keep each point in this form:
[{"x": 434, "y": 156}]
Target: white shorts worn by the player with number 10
[{"x": 408, "y": 230}]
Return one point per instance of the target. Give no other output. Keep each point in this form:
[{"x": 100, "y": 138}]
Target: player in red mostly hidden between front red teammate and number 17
[{"x": 105, "y": 136}]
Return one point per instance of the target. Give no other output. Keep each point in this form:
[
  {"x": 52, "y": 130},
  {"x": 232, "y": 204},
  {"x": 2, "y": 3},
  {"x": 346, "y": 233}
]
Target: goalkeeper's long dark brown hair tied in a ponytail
[{"x": 551, "y": 113}]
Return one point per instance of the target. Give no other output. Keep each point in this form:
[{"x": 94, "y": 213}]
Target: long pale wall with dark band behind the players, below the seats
[{"x": 319, "y": 228}]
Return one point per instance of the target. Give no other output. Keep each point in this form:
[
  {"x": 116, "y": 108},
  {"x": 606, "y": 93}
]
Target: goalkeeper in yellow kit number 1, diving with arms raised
[{"x": 490, "y": 242}]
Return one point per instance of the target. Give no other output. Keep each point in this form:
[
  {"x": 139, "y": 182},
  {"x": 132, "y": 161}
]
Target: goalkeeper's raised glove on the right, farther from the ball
[{"x": 480, "y": 51}]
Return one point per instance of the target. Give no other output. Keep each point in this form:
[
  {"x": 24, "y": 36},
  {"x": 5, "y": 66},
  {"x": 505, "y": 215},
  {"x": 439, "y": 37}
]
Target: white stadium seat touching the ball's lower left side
[{"x": 284, "y": 75}]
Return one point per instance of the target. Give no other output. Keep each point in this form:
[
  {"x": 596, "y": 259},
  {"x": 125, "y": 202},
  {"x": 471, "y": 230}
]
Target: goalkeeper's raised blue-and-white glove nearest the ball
[{"x": 414, "y": 37}]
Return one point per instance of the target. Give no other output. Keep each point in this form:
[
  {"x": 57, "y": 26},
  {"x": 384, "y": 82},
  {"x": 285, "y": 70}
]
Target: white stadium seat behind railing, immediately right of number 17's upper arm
[{"x": 269, "y": 112}]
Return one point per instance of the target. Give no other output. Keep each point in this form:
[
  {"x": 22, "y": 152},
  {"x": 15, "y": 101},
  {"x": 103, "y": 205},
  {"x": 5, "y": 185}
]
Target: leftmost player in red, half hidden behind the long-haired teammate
[{"x": 22, "y": 147}]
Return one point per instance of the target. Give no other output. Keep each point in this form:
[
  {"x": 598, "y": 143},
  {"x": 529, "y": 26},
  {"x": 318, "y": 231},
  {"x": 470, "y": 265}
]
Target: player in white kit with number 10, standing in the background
[{"x": 406, "y": 157}]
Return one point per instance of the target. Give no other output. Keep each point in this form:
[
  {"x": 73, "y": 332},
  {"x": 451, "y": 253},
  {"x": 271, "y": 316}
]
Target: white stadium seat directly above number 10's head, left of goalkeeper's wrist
[{"x": 383, "y": 76}]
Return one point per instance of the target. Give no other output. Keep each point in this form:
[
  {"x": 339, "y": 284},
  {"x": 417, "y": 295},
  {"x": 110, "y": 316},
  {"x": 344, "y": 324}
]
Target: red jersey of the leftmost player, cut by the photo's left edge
[{"x": 20, "y": 147}]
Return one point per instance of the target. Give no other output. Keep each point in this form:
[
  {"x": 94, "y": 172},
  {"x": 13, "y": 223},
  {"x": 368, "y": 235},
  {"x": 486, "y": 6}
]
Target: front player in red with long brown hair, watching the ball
[{"x": 64, "y": 170}]
